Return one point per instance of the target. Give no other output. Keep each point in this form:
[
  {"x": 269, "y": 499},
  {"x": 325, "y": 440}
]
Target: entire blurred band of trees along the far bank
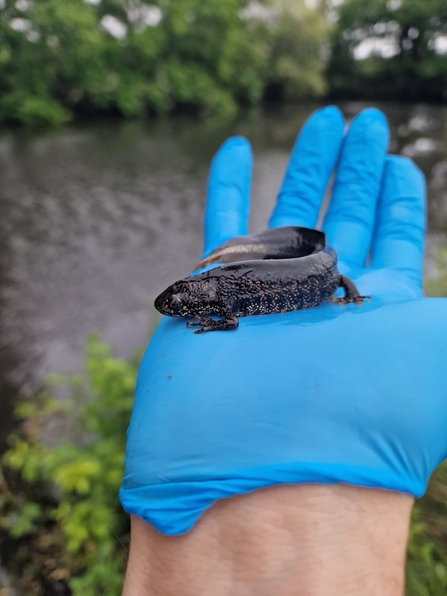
[{"x": 63, "y": 58}]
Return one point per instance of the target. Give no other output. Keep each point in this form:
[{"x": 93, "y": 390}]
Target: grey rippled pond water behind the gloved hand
[{"x": 96, "y": 220}]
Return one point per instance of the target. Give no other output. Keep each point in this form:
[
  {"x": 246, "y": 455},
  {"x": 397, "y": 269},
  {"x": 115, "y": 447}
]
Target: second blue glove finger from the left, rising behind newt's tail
[{"x": 310, "y": 167}]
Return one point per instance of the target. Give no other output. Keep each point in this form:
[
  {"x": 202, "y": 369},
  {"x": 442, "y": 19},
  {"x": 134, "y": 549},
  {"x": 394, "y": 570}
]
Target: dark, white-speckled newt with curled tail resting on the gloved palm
[{"x": 278, "y": 270}]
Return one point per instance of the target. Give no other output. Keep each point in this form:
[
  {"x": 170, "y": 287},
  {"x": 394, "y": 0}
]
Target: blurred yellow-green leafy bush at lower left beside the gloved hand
[{"x": 59, "y": 498}]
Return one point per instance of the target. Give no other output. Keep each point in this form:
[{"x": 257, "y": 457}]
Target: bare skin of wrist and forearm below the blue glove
[{"x": 306, "y": 540}]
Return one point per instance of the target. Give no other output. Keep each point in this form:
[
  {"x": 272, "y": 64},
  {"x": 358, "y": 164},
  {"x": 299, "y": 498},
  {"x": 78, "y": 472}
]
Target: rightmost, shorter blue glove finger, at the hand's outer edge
[{"x": 399, "y": 234}]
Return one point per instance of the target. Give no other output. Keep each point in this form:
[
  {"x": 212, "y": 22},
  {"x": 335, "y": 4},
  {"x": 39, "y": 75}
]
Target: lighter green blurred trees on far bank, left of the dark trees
[{"x": 61, "y": 57}]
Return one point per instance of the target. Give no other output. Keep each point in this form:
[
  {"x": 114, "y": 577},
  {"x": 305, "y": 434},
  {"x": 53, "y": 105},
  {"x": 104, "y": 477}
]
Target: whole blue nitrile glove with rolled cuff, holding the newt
[{"x": 354, "y": 394}]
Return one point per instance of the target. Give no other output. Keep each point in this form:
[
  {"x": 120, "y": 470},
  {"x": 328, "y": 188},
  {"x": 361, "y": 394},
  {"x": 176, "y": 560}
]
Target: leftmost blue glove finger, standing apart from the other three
[{"x": 228, "y": 195}]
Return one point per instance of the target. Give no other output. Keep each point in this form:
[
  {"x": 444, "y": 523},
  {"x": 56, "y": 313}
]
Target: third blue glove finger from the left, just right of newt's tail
[{"x": 350, "y": 219}]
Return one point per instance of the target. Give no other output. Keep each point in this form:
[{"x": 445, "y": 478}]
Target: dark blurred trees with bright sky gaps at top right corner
[{"x": 410, "y": 27}]
